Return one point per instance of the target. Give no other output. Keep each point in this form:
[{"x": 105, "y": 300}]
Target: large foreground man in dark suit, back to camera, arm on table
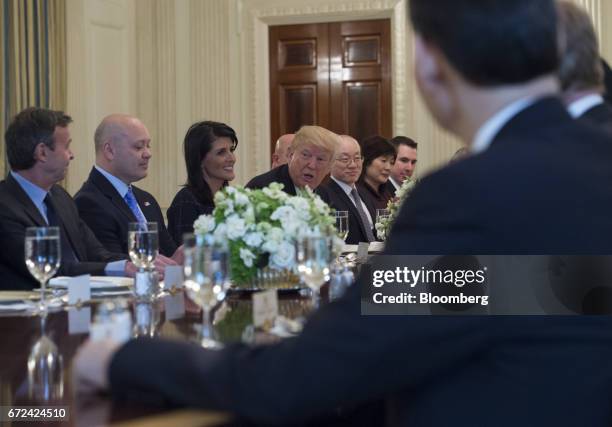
[{"x": 486, "y": 69}]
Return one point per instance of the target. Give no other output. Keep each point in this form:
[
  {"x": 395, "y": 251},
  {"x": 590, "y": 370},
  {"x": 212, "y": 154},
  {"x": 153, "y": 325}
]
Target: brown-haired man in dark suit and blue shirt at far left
[{"x": 38, "y": 151}]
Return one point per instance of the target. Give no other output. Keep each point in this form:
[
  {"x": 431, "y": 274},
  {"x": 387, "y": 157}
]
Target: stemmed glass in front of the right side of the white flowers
[{"x": 315, "y": 271}]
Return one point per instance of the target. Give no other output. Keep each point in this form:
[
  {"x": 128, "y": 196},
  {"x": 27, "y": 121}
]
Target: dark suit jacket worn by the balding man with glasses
[{"x": 336, "y": 198}]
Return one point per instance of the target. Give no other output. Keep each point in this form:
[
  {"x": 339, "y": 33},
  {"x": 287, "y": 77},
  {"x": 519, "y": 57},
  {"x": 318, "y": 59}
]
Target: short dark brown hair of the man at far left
[{"x": 29, "y": 128}]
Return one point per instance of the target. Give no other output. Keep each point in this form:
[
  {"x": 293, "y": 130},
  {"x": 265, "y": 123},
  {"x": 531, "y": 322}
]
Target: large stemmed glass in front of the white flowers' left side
[{"x": 206, "y": 279}]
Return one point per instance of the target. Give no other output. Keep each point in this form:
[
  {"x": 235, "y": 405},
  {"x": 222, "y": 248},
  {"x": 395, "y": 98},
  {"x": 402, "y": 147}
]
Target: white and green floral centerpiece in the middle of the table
[{"x": 261, "y": 226}]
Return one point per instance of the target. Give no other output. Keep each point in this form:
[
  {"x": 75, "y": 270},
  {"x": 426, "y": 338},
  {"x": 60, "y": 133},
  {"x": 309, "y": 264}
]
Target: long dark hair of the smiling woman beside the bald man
[{"x": 197, "y": 144}]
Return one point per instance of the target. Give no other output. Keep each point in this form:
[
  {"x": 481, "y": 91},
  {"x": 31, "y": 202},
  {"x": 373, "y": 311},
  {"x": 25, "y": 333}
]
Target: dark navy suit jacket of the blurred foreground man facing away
[{"x": 525, "y": 194}]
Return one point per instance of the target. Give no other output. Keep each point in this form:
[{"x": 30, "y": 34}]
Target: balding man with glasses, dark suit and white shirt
[{"x": 340, "y": 192}]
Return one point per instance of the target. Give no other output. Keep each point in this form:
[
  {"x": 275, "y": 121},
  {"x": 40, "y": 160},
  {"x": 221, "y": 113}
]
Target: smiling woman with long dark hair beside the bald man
[{"x": 209, "y": 159}]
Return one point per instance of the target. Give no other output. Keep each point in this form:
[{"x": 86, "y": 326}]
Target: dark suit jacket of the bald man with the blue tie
[{"x": 108, "y": 215}]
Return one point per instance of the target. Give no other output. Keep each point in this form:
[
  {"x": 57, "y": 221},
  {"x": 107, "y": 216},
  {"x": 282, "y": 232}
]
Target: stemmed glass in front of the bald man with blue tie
[{"x": 143, "y": 246}]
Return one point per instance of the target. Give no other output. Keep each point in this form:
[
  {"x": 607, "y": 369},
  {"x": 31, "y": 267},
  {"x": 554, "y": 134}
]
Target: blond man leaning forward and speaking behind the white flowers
[{"x": 310, "y": 157}]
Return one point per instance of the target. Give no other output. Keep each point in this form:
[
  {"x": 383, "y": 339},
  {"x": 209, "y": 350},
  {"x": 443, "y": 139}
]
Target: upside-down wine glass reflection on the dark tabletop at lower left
[{"x": 45, "y": 369}]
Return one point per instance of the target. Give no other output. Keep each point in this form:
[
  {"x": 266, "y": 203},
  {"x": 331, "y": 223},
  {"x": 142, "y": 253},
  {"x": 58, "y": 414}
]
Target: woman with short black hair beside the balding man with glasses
[{"x": 378, "y": 159}]
